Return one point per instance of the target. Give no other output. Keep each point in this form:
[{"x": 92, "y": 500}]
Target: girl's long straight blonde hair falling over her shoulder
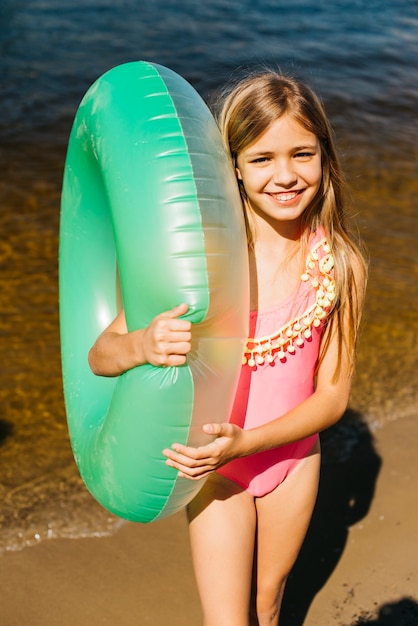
[{"x": 247, "y": 110}]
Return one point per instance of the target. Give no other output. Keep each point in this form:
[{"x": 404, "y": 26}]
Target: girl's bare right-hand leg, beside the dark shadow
[{"x": 283, "y": 519}]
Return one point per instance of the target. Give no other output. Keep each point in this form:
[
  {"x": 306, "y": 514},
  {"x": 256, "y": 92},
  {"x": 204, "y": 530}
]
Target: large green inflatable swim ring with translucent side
[{"x": 151, "y": 217}]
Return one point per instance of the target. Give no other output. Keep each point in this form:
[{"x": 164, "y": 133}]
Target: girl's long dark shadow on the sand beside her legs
[{"x": 350, "y": 466}]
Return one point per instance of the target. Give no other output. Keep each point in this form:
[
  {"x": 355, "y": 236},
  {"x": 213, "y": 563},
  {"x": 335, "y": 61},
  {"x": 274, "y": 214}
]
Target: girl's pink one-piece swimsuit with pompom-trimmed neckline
[{"x": 279, "y": 368}]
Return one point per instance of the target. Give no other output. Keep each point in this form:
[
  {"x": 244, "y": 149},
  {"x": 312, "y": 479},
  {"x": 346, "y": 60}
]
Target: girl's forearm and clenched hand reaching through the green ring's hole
[{"x": 165, "y": 342}]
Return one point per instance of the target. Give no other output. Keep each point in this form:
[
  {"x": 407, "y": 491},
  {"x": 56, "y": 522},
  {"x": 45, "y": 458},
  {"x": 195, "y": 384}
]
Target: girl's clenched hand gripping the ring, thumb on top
[{"x": 167, "y": 340}]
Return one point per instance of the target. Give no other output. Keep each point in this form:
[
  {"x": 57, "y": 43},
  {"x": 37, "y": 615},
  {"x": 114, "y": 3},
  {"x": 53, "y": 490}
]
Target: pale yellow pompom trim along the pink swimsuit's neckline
[{"x": 294, "y": 333}]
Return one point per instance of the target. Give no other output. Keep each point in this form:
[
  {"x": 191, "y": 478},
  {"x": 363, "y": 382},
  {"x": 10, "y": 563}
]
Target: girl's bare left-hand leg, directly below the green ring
[{"x": 222, "y": 521}]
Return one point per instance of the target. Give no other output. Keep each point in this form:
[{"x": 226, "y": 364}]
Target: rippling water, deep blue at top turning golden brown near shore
[{"x": 361, "y": 57}]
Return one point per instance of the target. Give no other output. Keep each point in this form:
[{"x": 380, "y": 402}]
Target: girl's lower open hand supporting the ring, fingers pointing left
[{"x": 196, "y": 463}]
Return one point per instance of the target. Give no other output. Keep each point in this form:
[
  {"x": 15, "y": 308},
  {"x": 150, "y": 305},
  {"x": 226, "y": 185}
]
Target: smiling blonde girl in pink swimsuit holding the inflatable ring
[{"x": 307, "y": 281}]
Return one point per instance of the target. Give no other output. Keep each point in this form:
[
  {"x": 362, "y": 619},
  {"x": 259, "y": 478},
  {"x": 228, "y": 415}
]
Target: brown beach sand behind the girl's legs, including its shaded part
[{"x": 366, "y": 573}]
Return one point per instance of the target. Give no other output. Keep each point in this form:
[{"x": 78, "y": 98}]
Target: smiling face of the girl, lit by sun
[{"x": 281, "y": 171}]
